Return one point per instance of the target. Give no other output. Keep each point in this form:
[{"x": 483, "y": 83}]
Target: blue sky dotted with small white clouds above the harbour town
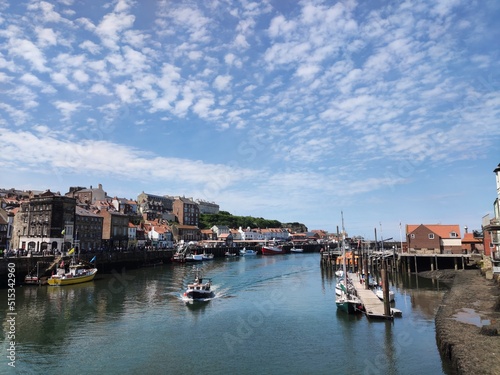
[{"x": 383, "y": 112}]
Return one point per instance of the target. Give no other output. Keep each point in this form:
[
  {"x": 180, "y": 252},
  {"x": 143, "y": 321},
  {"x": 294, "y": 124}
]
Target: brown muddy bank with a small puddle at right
[{"x": 468, "y": 322}]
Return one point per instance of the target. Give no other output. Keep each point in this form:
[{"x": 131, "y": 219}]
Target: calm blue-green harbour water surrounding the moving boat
[{"x": 271, "y": 315}]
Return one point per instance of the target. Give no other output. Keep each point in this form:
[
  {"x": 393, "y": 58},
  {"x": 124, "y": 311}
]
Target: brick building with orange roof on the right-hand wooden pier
[{"x": 434, "y": 239}]
